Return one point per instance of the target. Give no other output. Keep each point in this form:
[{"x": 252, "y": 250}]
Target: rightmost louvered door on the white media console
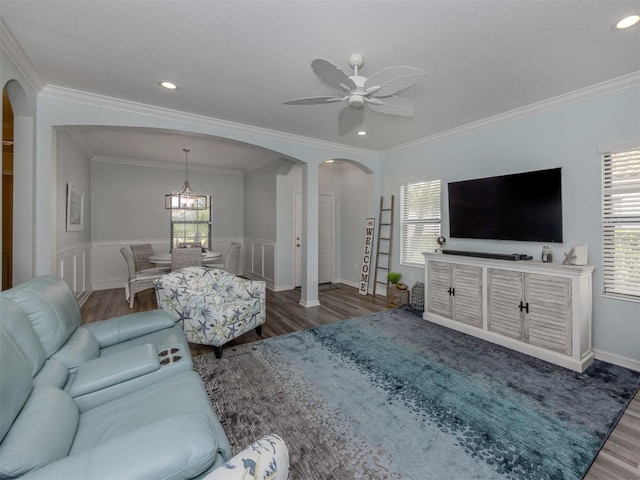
[{"x": 548, "y": 323}]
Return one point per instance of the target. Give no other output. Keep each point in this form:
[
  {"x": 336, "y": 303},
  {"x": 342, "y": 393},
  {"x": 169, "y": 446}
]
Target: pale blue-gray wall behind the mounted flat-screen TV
[{"x": 567, "y": 137}]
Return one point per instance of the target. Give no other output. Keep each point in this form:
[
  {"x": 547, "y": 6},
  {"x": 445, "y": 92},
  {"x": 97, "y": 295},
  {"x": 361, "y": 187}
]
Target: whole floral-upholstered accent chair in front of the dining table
[{"x": 213, "y": 306}]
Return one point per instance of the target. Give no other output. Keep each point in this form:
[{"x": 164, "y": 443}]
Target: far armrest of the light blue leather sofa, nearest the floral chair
[{"x": 119, "y": 329}]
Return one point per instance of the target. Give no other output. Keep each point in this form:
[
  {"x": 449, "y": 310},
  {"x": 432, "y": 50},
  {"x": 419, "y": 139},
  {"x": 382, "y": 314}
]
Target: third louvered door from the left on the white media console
[{"x": 505, "y": 294}]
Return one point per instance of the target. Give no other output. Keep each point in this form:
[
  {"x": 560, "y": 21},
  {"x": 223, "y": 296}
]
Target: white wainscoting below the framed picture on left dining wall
[{"x": 73, "y": 265}]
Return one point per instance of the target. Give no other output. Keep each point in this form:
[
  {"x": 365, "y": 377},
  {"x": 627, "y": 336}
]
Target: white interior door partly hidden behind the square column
[{"x": 325, "y": 239}]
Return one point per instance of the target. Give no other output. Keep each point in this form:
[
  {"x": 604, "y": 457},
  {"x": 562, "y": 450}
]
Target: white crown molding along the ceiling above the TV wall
[{"x": 604, "y": 88}]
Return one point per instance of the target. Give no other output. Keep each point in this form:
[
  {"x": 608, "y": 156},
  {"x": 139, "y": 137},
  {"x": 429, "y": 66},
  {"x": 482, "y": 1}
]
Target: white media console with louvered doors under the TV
[{"x": 541, "y": 309}]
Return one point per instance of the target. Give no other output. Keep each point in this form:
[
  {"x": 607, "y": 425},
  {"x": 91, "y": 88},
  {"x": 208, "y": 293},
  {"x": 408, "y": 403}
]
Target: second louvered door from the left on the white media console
[{"x": 467, "y": 298}]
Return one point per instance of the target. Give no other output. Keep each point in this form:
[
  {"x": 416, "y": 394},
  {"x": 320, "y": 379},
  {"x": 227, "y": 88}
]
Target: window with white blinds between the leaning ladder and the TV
[{"x": 420, "y": 211}]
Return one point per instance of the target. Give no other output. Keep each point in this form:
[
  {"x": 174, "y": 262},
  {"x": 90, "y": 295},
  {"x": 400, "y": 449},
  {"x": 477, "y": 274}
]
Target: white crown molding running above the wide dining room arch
[{"x": 152, "y": 110}]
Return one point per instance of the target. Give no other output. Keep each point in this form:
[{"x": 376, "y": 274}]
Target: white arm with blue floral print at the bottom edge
[{"x": 265, "y": 459}]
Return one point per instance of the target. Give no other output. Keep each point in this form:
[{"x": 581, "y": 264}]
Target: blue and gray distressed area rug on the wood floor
[{"x": 392, "y": 396}]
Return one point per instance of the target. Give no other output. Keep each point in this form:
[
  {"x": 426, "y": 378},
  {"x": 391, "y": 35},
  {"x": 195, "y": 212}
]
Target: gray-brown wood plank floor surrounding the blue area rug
[{"x": 619, "y": 459}]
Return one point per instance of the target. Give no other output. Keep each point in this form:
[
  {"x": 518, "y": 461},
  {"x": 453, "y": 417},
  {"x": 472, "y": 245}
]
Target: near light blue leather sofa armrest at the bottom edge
[{"x": 179, "y": 447}]
